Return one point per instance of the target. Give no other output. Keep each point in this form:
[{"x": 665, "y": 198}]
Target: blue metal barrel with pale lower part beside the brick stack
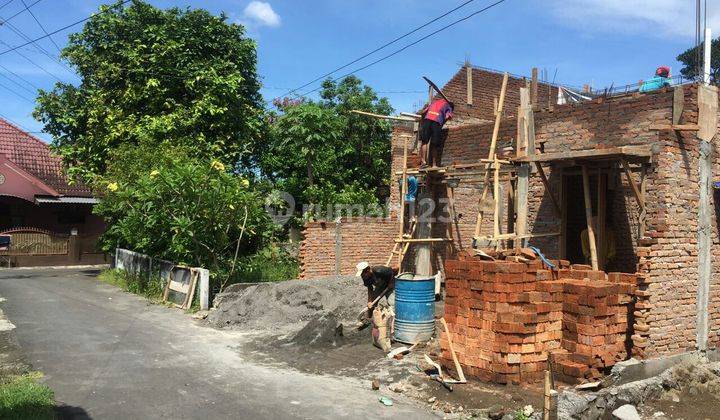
[{"x": 414, "y": 308}]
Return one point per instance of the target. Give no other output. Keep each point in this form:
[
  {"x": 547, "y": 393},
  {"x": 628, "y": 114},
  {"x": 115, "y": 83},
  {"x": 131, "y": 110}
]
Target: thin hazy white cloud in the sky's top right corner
[{"x": 664, "y": 18}]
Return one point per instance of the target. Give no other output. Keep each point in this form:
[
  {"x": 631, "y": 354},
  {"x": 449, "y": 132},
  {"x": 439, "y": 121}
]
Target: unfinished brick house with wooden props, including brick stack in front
[{"x": 637, "y": 168}]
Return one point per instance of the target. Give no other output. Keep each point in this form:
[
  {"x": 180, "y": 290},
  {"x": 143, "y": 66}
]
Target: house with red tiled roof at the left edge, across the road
[{"x": 48, "y": 218}]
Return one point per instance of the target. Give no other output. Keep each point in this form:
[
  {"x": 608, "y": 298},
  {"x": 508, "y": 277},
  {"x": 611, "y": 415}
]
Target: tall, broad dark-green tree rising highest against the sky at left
[{"x": 148, "y": 77}]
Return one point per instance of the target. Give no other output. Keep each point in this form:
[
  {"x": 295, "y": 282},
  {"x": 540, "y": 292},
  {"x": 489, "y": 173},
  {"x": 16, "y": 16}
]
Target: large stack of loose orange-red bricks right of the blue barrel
[{"x": 506, "y": 317}]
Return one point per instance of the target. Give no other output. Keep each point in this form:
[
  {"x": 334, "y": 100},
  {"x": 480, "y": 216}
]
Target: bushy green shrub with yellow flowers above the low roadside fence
[{"x": 165, "y": 203}]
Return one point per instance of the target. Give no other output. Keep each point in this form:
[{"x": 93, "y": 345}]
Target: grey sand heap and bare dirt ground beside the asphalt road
[{"x": 293, "y": 330}]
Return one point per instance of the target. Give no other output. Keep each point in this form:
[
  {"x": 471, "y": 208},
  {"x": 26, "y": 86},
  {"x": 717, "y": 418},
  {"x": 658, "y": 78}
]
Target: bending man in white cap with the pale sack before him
[{"x": 380, "y": 282}]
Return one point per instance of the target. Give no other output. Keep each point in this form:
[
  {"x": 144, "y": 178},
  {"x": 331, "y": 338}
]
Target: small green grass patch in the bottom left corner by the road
[{"x": 22, "y": 397}]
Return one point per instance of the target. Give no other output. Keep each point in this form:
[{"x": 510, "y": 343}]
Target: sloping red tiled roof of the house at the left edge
[{"x": 34, "y": 156}]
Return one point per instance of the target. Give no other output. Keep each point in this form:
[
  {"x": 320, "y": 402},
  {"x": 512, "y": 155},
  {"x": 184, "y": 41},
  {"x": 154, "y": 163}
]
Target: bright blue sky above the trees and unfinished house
[{"x": 598, "y": 42}]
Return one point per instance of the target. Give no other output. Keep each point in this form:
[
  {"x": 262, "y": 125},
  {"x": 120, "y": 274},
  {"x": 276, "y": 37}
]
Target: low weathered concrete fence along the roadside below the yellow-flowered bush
[{"x": 146, "y": 267}]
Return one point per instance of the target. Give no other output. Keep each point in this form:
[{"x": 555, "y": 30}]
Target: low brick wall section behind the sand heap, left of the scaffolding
[{"x": 356, "y": 239}]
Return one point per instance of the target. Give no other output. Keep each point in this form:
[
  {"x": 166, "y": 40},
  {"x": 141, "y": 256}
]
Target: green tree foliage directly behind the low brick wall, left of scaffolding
[{"x": 321, "y": 153}]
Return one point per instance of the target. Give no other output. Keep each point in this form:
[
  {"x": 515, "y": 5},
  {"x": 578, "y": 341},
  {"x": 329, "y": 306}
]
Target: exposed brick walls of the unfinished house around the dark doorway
[{"x": 667, "y": 256}]
